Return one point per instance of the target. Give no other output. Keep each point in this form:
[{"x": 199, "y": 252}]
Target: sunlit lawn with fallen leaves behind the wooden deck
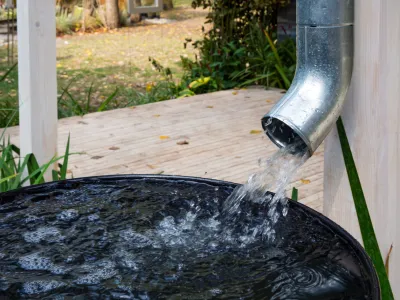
[{"x": 105, "y": 61}]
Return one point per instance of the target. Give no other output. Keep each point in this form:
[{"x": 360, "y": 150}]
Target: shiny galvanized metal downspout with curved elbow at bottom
[{"x": 310, "y": 108}]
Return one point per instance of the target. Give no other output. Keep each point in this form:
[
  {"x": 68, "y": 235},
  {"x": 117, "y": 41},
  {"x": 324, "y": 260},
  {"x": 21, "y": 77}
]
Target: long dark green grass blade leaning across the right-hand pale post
[{"x": 367, "y": 230}]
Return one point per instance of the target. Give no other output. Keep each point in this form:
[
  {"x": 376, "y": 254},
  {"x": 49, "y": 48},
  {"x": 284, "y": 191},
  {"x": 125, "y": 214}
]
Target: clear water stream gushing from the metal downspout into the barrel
[{"x": 275, "y": 176}]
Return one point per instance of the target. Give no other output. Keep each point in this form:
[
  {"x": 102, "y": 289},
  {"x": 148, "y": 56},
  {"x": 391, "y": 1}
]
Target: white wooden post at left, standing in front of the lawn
[{"x": 37, "y": 78}]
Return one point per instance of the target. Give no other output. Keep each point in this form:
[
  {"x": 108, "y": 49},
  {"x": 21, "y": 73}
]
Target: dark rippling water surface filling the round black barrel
[{"x": 166, "y": 239}]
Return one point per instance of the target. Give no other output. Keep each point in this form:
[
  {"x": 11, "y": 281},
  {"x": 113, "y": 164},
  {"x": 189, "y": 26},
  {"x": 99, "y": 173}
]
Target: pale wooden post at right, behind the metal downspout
[{"x": 372, "y": 120}]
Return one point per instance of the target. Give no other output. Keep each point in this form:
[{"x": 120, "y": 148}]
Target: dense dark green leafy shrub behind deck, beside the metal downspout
[{"x": 240, "y": 49}]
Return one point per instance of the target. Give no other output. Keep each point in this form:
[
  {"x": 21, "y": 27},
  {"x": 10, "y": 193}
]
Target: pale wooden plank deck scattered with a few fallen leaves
[{"x": 217, "y": 127}]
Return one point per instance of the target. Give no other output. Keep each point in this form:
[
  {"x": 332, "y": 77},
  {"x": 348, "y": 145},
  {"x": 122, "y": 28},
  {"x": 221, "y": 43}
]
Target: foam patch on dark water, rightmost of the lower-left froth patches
[{"x": 97, "y": 272}]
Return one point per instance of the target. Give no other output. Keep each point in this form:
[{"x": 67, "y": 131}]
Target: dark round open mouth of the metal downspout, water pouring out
[{"x": 284, "y": 136}]
